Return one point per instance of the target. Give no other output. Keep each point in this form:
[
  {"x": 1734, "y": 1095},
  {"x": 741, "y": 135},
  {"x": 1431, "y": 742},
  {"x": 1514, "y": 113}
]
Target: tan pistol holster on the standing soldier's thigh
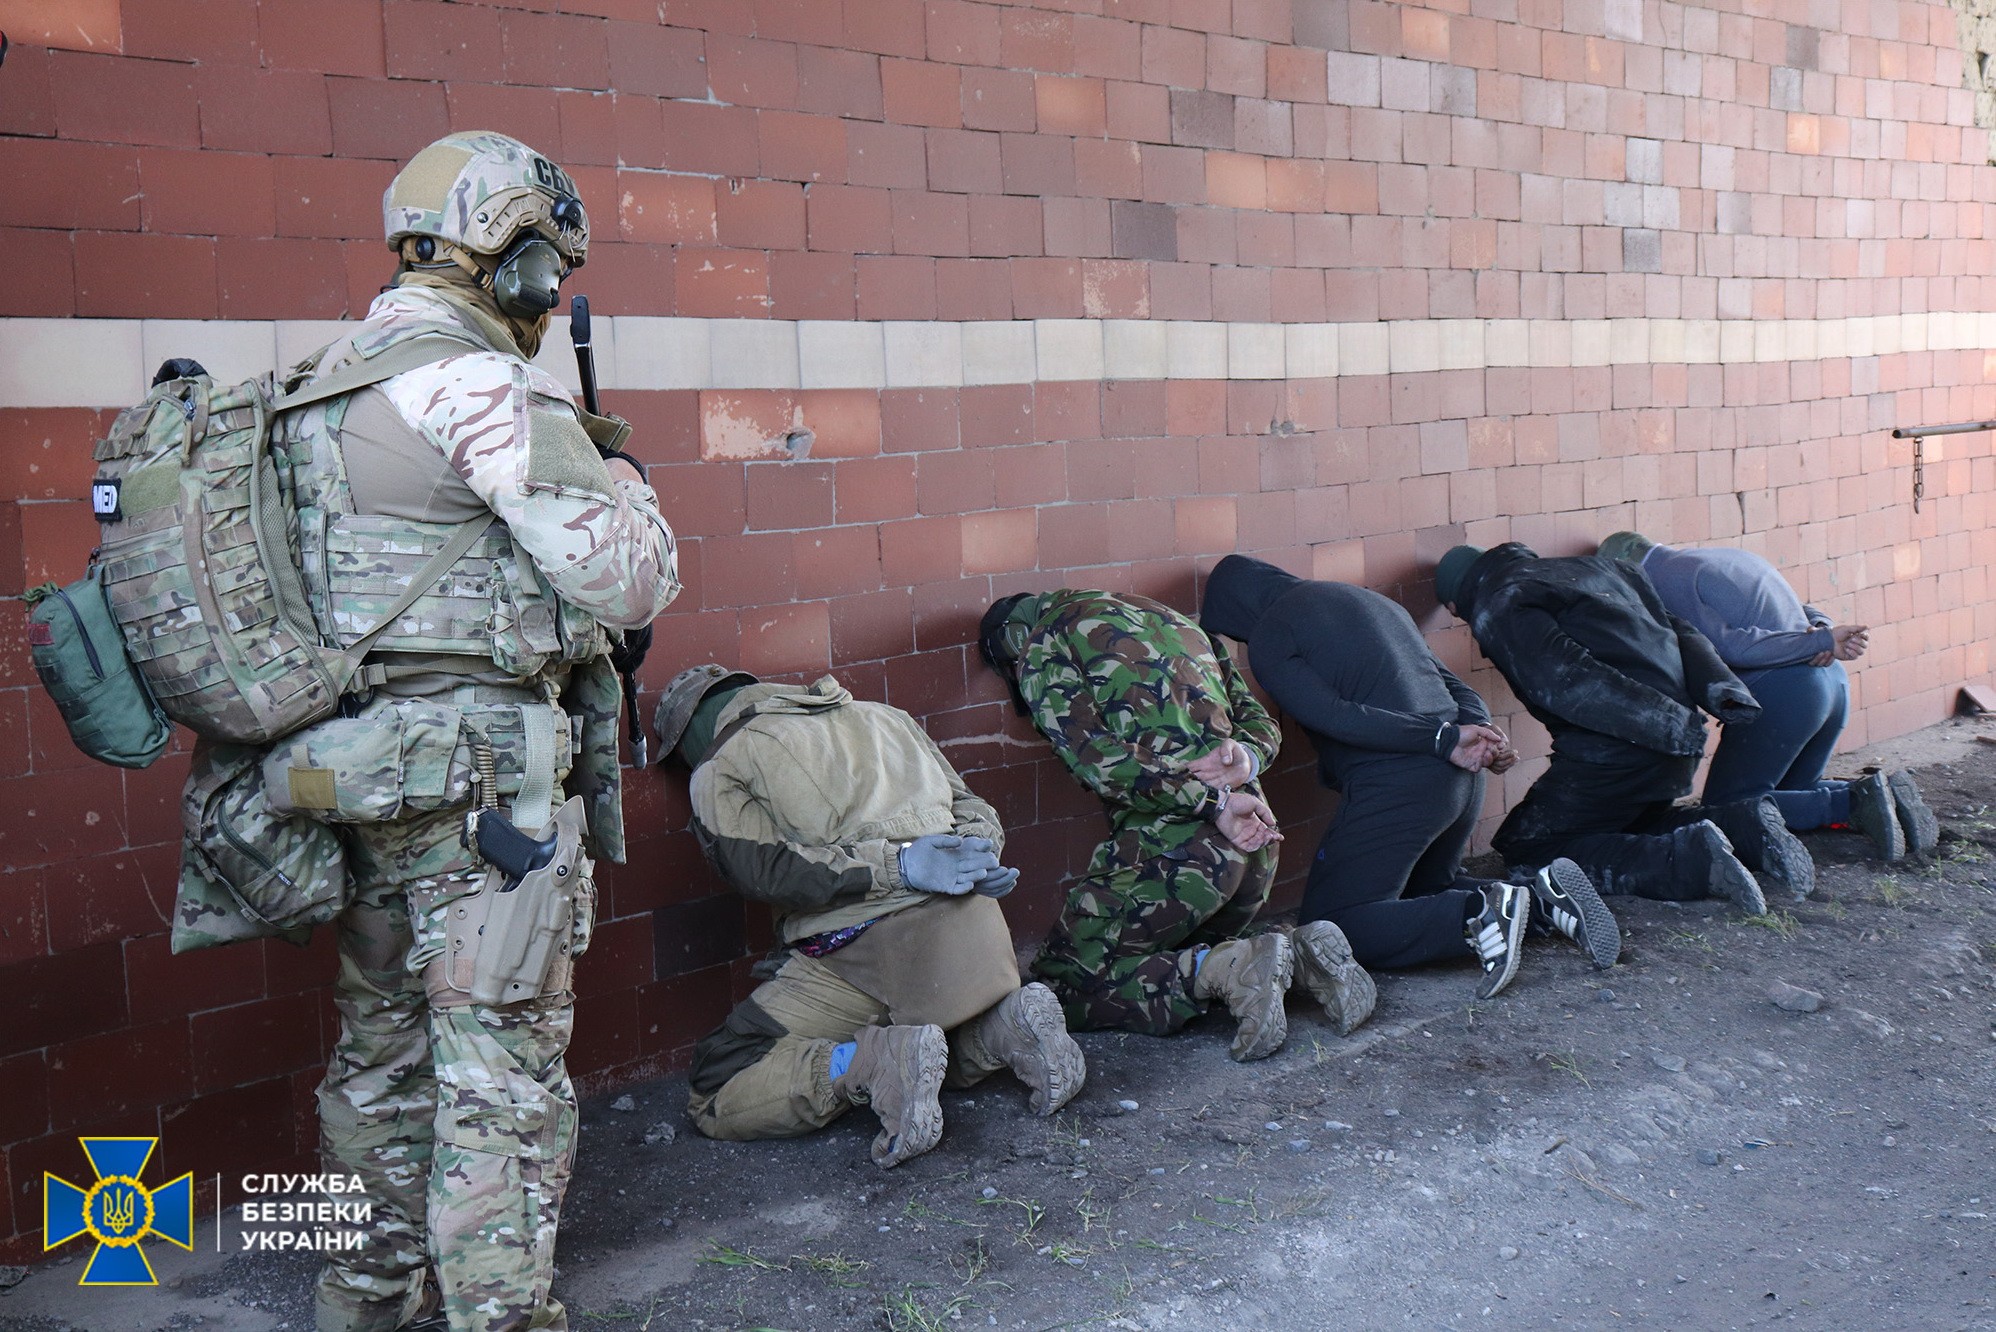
[{"x": 510, "y": 946}]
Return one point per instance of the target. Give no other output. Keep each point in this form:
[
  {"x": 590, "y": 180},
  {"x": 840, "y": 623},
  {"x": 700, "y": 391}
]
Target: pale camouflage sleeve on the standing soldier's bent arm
[{"x": 514, "y": 436}]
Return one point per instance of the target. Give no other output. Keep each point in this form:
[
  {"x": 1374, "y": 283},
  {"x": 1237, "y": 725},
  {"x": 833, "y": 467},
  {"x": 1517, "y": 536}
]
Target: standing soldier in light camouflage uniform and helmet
[{"x": 448, "y": 1091}]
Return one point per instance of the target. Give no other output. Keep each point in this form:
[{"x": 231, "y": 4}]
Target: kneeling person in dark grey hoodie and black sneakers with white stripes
[{"x": 1406, "y": 746}]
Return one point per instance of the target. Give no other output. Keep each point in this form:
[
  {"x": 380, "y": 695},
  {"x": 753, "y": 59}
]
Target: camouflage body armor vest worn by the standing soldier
[{"x": 490, "y": 614}]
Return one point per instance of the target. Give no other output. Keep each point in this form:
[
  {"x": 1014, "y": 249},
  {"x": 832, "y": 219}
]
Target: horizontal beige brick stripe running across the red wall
[{"x": 107, "y": 362}]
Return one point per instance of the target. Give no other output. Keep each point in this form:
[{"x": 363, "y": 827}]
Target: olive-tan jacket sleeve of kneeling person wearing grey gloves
[{"x": 748, "y": 848}]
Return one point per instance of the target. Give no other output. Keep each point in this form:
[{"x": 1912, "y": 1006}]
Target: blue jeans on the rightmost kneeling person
[{"x": 1787, "y": 748}]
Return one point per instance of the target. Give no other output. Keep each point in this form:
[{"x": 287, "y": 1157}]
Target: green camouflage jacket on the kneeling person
[{"x": 1131, "y": 692}]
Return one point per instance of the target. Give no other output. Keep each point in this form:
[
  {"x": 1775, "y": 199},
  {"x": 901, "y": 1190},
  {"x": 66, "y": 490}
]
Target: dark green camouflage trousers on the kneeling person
[{"x": 1129, "y": 936}]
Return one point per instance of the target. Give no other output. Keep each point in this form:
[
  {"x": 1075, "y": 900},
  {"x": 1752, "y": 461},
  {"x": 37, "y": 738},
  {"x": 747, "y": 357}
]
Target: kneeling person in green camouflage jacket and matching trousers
[{"x": 1151, "y": 716}]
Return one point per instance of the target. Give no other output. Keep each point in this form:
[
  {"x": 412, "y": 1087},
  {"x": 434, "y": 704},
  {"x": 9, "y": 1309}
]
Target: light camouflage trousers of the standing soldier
[{"x": 458, "y": 1119}]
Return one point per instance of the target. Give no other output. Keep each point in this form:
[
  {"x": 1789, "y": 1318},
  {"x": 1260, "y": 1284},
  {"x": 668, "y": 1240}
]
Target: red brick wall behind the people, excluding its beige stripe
[{"x": 981, "y": 163}]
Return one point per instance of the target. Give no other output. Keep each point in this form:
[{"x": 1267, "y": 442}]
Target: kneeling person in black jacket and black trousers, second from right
[{"x": 1622, "y": 686}]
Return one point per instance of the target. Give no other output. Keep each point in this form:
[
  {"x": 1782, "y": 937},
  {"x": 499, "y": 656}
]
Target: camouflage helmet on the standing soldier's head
[{"x": 480, "y": 191}]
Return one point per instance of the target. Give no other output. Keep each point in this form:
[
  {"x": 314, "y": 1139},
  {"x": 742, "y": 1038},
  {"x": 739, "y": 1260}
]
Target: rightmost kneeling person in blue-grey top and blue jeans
[{"x": 1791, "y": 656}]
